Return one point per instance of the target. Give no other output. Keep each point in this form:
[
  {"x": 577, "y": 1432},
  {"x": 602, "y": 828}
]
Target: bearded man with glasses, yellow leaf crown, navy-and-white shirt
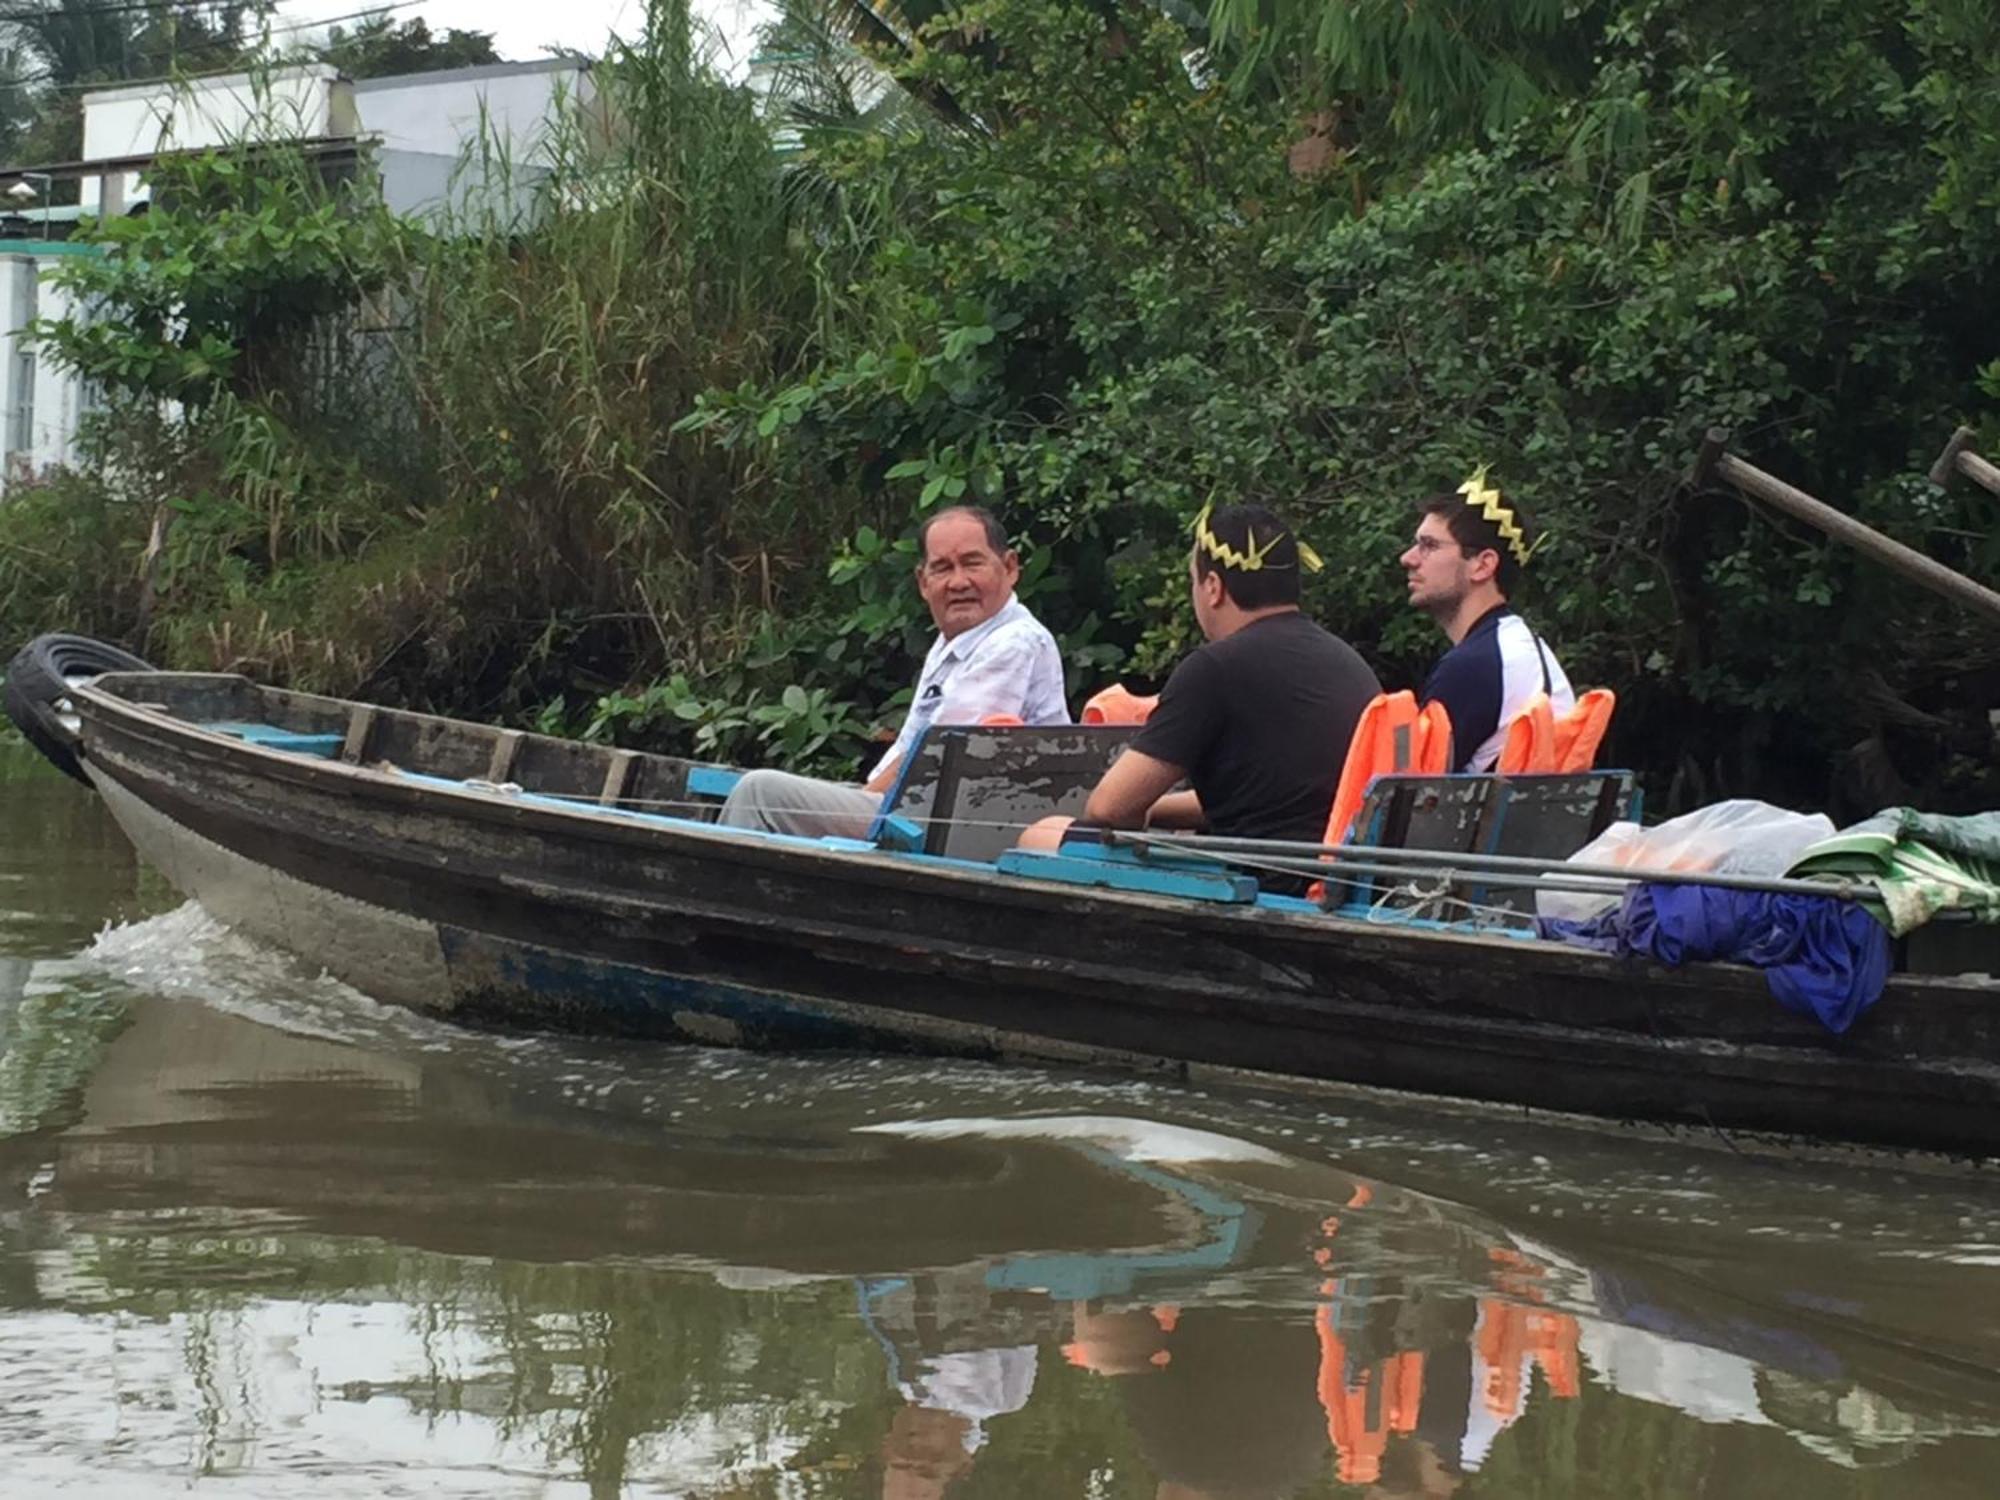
[{"x": 1467, "y": 559}]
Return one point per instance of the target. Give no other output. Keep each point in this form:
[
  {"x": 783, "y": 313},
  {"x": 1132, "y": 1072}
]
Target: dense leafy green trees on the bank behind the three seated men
[{"x": 1139, "y": 295}]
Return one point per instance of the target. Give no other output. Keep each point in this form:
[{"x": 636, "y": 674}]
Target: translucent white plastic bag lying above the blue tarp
[{"x": 1739, "y": 837}]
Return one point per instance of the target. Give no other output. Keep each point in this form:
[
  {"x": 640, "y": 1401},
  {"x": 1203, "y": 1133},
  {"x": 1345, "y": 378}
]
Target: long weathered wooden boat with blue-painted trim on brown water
[{"x": 501, "y": 875}]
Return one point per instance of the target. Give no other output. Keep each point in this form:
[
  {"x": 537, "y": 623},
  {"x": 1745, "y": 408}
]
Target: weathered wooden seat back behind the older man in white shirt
[{"x": 967, "y": 793}]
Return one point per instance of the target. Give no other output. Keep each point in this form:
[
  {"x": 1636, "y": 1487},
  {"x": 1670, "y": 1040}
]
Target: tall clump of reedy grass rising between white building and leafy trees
[{"x": 553, "y": 363}]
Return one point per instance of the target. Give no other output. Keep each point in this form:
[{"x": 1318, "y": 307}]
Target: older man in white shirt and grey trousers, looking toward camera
[{"x": 991, "y": 659}]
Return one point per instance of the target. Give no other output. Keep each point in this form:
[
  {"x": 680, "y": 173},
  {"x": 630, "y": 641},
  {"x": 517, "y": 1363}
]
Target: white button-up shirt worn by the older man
[{"x": 1009, "y": 665}]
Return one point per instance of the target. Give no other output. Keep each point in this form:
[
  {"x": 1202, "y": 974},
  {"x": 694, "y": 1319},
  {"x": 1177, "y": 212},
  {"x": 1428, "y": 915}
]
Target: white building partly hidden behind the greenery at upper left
[{"x": 427, "y": 133}]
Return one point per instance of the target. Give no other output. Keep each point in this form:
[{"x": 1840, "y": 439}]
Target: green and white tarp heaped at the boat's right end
[{"x": 1921, "y": 863}]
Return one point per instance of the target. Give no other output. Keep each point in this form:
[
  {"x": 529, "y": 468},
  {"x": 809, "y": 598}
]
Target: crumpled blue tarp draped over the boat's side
[{"x": 1821, "y": 957}]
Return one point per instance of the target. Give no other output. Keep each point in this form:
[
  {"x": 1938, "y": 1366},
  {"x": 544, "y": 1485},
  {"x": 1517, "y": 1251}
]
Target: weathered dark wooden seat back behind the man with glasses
[{"x": 1531, "y": 817}]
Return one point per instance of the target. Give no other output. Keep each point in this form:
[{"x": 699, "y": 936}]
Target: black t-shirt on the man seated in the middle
[{"x": 1261, "y": 723}]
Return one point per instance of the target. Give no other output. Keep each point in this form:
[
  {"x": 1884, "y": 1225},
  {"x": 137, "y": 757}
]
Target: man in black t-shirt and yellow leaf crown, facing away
[{"x": 1257, "y": 721}]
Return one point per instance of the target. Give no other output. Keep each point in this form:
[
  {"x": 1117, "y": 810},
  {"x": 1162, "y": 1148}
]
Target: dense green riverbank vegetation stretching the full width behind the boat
[{"x": 641, "y": 461}]
